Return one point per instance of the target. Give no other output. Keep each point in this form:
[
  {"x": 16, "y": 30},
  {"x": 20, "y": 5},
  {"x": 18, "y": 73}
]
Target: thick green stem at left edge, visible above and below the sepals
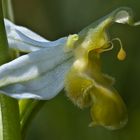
[{"x": 9, "y": 111}]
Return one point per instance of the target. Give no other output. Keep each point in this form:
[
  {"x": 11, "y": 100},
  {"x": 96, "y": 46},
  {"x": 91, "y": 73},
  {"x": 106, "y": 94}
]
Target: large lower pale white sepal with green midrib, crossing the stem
[{"x": 39, "y": 74}]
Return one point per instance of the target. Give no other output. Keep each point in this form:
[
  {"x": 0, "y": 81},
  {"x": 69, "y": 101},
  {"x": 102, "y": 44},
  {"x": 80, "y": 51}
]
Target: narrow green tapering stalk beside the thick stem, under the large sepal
[{"x": 28, "y": 110}]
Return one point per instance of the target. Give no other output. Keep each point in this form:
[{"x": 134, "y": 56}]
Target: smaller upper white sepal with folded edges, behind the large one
[{"x": 25, "y": 40}]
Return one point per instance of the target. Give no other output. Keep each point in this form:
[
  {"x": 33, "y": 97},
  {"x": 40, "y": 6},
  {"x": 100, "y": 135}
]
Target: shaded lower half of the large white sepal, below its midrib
[{"x": 45, "y": 87}]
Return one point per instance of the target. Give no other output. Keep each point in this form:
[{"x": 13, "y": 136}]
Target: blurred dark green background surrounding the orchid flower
[{"x": 59, "y": 119}]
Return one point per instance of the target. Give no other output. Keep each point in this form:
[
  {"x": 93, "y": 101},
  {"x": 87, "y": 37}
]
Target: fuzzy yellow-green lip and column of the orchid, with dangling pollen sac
[{"x": 86, "y": 84}]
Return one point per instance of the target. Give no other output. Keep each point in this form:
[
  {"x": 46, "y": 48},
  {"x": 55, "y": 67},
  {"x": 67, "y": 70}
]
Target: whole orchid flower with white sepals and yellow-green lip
[{"x": 72, "y": 62}]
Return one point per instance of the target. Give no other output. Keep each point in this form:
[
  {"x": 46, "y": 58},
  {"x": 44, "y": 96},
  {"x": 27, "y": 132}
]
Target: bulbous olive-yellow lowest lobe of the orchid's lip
[{"x": 108, "y": 109}]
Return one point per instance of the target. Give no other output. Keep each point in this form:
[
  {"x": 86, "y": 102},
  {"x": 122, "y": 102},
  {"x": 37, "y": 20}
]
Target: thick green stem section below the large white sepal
[{"x": 9, "y": 122}]
